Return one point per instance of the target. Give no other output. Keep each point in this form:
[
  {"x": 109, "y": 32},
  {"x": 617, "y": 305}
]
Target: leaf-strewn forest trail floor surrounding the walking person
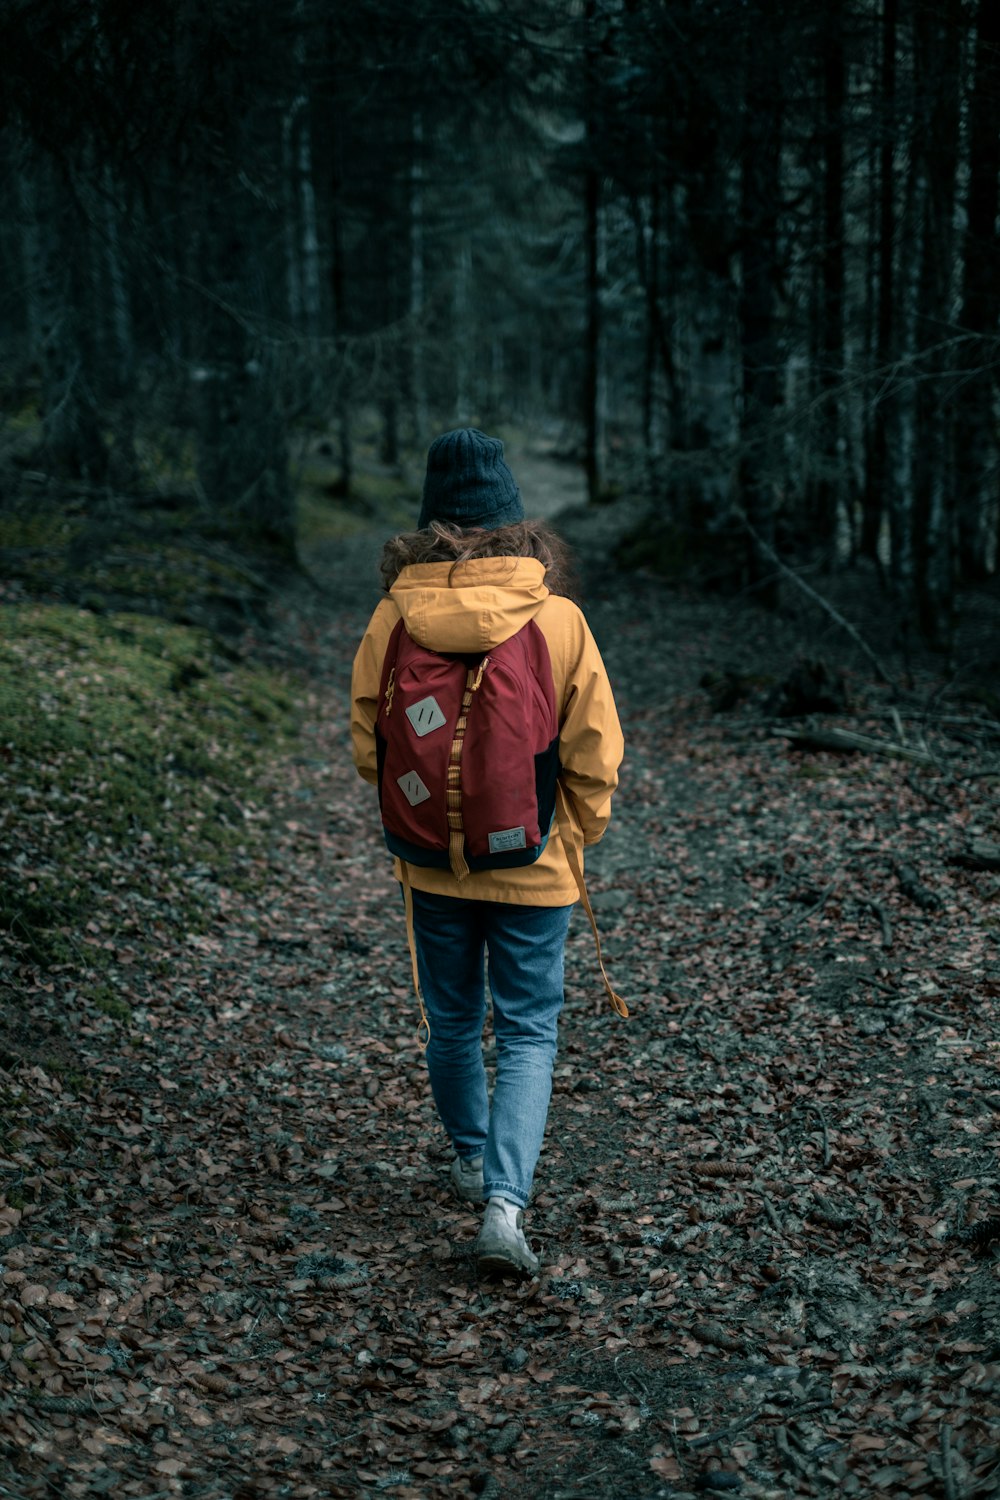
[{"x": 759, "y": 1198}]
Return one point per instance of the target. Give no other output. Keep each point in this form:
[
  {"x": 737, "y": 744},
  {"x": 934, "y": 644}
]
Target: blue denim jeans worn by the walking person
[{"x": 525, "y": 964}]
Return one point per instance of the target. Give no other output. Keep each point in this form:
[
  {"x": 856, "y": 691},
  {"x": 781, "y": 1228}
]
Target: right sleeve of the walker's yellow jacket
[{"x": 591, "y": 745}]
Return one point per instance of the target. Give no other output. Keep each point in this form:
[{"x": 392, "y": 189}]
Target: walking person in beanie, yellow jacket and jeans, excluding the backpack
[{"x": 467, "y": 581}]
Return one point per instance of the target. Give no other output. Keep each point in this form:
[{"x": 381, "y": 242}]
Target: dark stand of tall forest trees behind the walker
[{"x": 734, "y": 257}]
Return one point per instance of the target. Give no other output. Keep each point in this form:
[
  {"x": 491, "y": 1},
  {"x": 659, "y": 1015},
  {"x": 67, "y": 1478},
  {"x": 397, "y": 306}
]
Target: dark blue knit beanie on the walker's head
[{"x": 469, "y": 484}]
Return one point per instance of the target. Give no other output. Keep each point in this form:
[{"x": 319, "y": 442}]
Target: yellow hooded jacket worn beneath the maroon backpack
[{"x": 472, "y": 608}]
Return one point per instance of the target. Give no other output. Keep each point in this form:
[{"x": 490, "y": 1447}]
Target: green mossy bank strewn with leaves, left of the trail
[{"x": 130, "y": 755}]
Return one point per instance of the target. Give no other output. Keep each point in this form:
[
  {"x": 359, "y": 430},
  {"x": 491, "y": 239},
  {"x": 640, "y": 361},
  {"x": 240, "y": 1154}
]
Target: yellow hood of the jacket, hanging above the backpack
[{"x": 472, "y": 607}]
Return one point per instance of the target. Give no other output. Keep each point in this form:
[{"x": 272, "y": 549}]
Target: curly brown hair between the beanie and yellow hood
[{"x": 448, "y": 544}]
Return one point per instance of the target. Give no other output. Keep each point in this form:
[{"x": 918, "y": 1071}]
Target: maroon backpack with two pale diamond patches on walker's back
[{"x": 469, "y": 754}]
